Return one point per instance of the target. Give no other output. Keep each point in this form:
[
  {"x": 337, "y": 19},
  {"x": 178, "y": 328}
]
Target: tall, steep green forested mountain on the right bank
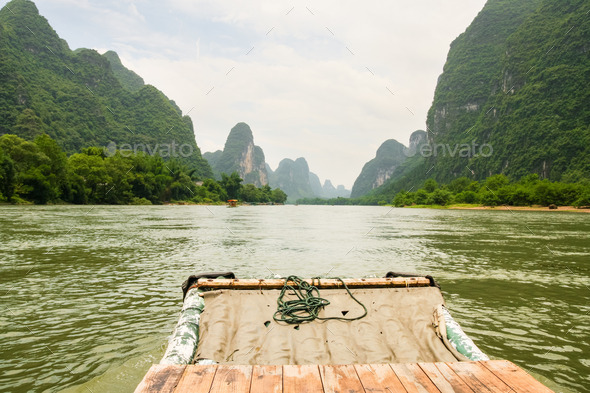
[{"x": 515, "y": 80}]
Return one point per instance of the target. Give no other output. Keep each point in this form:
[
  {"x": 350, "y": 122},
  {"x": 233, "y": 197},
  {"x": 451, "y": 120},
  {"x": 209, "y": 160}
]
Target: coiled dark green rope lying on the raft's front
[{"x": 308, "y": 304}]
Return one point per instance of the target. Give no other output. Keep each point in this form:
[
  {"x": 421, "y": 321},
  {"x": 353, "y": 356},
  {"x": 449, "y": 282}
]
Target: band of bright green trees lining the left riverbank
[{"x": 40, "y": 172}]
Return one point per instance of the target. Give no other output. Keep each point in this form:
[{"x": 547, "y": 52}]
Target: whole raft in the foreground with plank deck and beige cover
[{"x": 370, "y": 334}]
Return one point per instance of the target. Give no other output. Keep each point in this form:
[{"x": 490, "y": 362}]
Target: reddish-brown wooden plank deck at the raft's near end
[{"x": 464, "y": 377}]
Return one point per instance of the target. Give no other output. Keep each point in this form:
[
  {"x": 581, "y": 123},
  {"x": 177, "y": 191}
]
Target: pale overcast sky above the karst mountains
[{"x": 329, "y": 81}]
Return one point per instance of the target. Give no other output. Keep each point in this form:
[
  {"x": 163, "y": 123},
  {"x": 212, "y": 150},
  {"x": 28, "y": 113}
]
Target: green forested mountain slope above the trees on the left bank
[{"x": 80, "y": 98}]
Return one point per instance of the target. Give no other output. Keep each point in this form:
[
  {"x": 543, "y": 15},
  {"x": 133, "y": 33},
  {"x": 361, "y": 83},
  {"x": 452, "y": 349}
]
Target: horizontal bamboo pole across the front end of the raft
[{"x": 397, "y": 282}]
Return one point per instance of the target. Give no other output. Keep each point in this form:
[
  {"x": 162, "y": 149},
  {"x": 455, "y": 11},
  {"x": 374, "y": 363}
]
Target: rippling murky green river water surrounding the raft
[{"x": 89, "y": 295}]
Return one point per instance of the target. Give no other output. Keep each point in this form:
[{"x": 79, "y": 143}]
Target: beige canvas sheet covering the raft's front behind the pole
[{"x": 237, "y": 327}]
